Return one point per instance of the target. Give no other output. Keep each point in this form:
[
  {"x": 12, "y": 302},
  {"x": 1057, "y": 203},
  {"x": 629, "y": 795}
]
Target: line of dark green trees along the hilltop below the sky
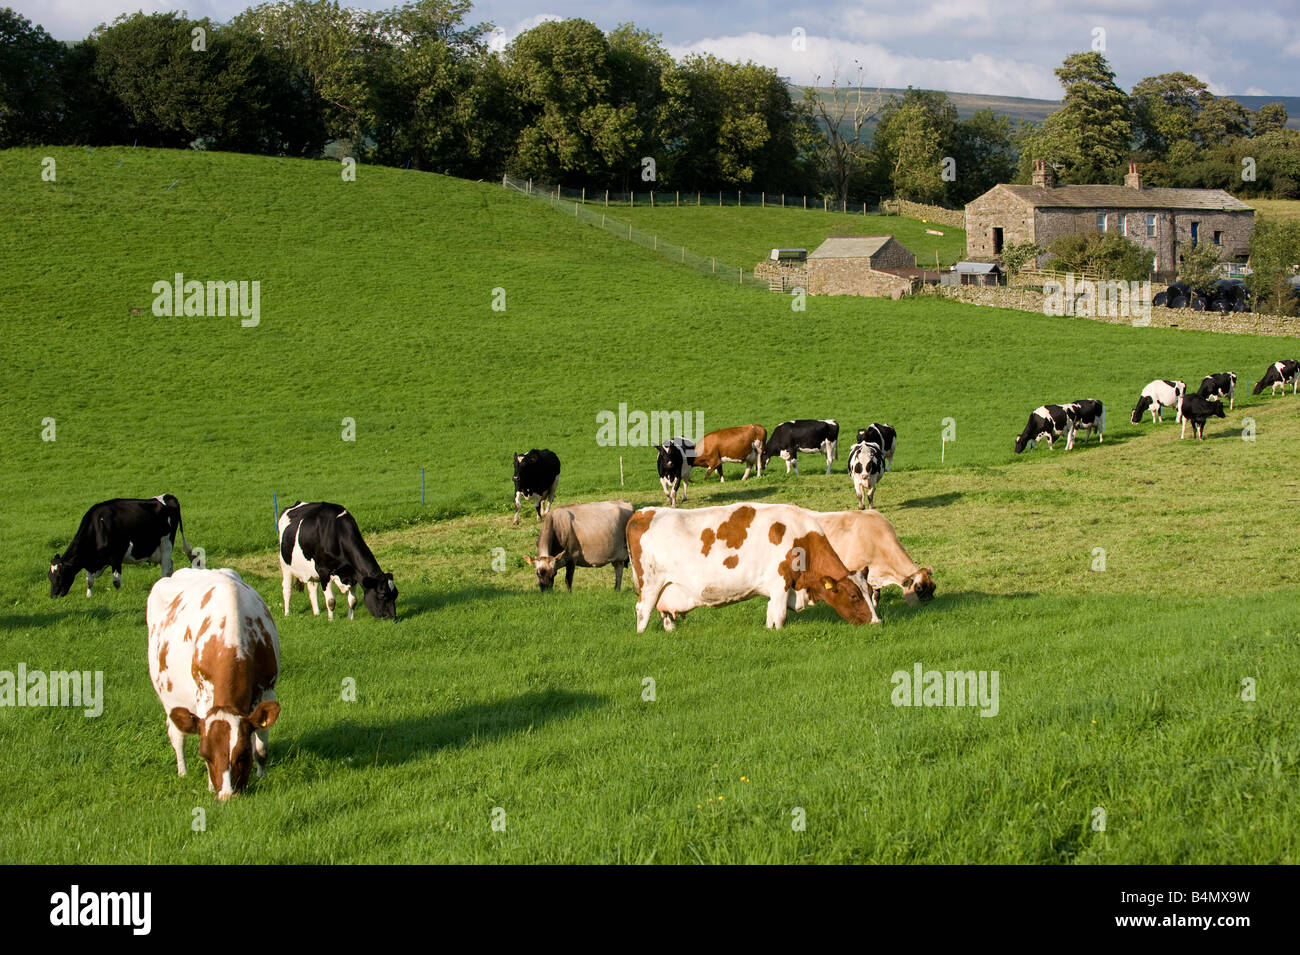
[{"x": 567, "y": 103}]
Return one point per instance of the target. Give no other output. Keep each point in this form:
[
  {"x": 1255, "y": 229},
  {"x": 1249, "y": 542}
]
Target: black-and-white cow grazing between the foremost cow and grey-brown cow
[{"x": 320, "y": 544}]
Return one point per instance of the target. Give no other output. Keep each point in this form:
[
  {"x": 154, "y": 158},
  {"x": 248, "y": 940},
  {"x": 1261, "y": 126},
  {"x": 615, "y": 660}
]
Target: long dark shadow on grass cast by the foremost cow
[{"x": 397, "y": 743}]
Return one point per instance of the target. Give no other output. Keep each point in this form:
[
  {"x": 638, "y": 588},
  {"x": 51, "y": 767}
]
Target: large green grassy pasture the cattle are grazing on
[{"x": 1120, "y": 688}]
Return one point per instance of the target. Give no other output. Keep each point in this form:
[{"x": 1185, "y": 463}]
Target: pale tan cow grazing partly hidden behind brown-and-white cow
[{"x": 870, "y": 549}]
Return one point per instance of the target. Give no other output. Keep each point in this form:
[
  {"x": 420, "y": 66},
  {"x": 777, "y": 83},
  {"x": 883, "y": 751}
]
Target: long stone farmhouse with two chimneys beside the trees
[{"x": 1162, "y": 220}]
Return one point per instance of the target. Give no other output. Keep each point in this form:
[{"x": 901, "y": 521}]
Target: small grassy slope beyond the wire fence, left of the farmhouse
[{"x": 744, "y": 236}]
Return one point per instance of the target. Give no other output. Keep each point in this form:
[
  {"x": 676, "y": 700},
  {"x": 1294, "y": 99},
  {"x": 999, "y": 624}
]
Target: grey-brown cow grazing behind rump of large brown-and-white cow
[{"x": 583, "y": 536}]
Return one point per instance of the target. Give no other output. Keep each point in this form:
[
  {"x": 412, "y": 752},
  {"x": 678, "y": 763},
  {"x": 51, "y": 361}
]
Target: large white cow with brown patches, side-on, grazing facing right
[{"x": 720, "y": 555}]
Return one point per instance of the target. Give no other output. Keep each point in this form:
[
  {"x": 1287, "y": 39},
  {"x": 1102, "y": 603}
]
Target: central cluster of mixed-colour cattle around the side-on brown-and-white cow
[{"x": 721, "y": 555}]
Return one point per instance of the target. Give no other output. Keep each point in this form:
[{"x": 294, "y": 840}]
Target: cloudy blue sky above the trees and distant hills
[{"x": 1006, "y": 47}]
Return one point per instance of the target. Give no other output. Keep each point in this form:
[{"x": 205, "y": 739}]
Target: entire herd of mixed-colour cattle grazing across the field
[{"x": 214, "y": 649}]
